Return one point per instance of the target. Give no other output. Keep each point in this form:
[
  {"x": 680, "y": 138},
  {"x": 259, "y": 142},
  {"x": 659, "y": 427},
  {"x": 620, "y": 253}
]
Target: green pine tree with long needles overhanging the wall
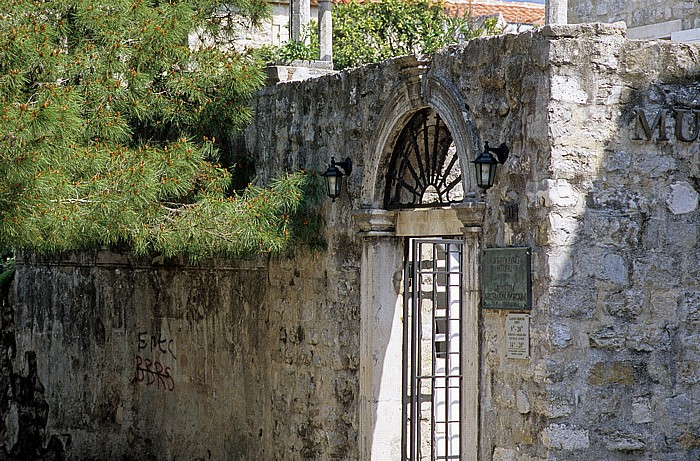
[{"x": 111, "y": 129}]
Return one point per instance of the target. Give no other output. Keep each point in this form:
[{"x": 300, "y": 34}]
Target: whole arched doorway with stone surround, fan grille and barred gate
[{"x": 421, "y": 230}]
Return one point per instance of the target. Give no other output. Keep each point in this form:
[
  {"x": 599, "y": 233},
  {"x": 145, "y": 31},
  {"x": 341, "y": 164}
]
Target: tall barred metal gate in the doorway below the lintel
[{"x": 432, "y": 380}]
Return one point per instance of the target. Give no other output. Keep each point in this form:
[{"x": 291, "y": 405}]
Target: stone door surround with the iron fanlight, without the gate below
[{"x": 423, "y": 144}]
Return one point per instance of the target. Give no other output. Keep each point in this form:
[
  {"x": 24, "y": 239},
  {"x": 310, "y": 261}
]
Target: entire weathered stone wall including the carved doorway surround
[{"x": 293, "y": 357}]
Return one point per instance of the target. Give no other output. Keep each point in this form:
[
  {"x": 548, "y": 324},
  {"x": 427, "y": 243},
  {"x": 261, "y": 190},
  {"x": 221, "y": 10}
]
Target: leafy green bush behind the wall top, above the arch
[{"x": 374, "y": 31}]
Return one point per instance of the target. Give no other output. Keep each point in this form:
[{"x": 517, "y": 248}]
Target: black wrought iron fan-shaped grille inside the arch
[{"x": 424, "y": 170}]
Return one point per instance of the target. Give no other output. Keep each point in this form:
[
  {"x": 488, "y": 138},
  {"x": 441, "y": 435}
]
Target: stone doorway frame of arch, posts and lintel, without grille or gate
[{"x": 383, "y": 233}]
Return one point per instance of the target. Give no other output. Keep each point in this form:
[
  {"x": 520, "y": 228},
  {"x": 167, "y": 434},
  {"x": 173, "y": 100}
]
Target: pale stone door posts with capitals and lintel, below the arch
[{"x": 381, "y": 322}]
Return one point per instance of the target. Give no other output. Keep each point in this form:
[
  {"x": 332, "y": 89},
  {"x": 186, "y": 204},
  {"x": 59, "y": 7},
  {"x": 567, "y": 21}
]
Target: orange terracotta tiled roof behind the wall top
[{"x": 512, "y": 12}]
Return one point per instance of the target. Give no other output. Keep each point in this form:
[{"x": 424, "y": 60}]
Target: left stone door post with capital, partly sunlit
[{"x": 381, "y": 337}]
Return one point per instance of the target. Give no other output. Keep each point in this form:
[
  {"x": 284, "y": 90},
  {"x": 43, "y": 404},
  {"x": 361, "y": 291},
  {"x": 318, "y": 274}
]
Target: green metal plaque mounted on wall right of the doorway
[{"x": 505, "y": 279}]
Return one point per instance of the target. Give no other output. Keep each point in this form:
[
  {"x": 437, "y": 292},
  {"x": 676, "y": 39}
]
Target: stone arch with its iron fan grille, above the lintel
[{"x": 424, "y": 142}]
